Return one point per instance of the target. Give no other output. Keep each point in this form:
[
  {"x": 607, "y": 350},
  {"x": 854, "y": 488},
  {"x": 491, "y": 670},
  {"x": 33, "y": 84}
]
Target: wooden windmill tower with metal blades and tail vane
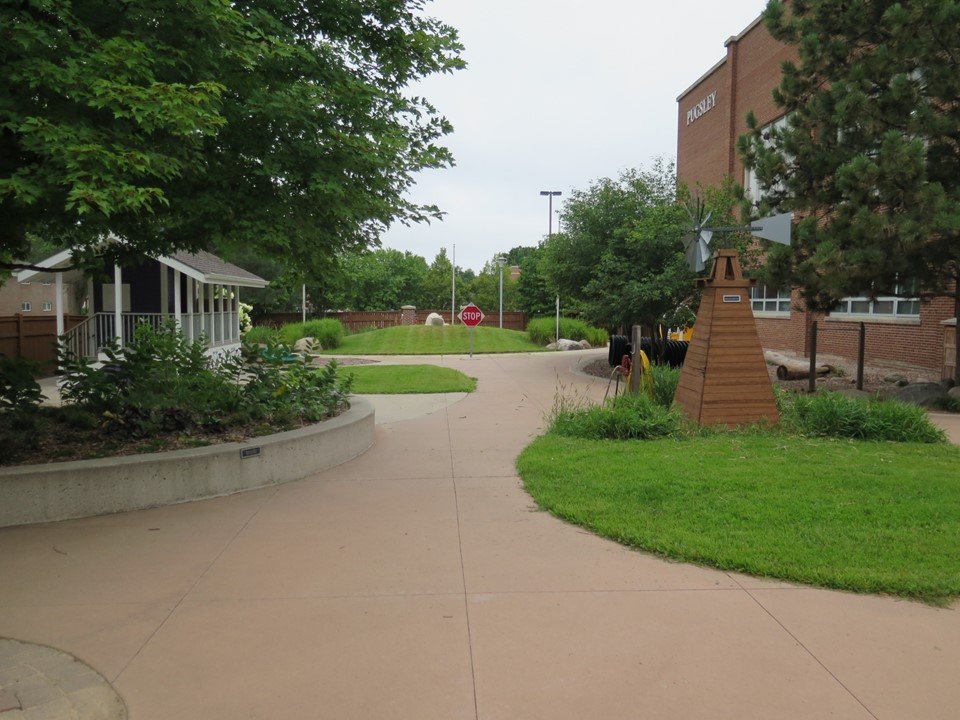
[{"x": 724, "y": 380}]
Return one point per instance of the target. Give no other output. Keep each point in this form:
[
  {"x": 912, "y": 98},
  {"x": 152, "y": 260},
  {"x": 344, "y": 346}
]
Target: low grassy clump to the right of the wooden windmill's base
[{"x": 829, "y": 414}]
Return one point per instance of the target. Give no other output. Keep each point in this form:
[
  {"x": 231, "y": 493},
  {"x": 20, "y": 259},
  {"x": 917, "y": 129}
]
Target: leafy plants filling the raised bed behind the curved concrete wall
[{"x": 165, "y": 383}]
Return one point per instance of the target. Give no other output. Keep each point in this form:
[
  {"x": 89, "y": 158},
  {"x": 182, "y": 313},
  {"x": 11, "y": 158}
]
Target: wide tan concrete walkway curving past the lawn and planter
[{"x": 418, "y": 581}]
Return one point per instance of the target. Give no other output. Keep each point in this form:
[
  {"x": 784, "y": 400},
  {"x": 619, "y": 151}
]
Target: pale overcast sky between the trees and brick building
[{"x": 556, "y": 95}]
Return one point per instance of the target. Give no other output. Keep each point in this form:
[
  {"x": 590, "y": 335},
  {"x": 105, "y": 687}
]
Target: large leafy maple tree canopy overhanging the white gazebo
[{"x": 280, "y": 125}]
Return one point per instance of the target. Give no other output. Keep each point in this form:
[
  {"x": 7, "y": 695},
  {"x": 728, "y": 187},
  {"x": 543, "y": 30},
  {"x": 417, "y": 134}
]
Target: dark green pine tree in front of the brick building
[{"x": 870, "y": 154}]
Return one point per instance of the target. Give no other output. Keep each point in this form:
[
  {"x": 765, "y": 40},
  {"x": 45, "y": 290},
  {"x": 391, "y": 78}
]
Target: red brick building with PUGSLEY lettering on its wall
[{"x": 711, "y": 115}]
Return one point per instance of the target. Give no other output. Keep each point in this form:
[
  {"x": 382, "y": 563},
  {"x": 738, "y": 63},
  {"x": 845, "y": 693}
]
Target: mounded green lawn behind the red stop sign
[{"x": 426, "y": 340}]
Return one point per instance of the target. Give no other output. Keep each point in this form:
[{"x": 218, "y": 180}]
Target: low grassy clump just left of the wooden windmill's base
[{"x": 625, "y": 417}]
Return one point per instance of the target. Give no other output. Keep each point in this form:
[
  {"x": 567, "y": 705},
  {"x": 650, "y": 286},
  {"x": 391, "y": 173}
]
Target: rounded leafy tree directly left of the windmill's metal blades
[{"x": 620, "y": 257}]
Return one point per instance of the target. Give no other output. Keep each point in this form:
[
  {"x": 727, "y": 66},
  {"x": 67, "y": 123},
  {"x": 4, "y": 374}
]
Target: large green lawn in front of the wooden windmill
[{"x": 863, "y": 516}]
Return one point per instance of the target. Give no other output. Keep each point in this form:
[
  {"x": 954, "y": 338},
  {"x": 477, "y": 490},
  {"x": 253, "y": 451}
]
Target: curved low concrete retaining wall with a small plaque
[{"x": 83, "y": 488}]
